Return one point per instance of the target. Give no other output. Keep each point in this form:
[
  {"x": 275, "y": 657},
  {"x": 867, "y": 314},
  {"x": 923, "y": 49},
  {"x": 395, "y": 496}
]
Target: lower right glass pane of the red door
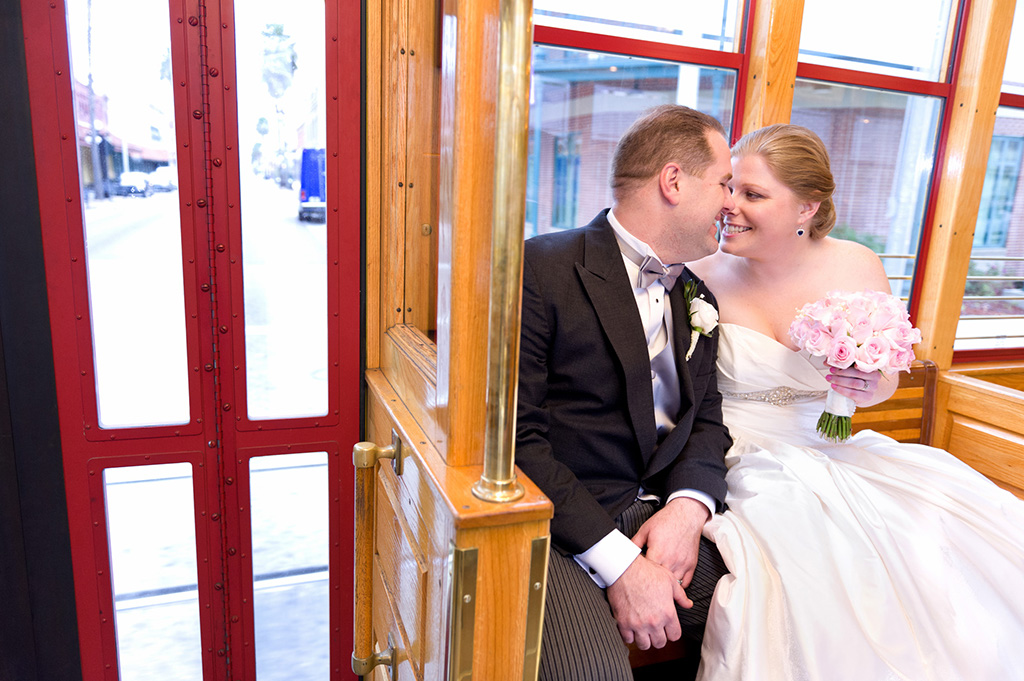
[{"x": 291, "y": 600}]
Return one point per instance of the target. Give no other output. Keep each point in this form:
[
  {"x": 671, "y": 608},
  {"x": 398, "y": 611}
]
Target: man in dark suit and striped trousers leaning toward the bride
[{"x": 618, "y": 424}]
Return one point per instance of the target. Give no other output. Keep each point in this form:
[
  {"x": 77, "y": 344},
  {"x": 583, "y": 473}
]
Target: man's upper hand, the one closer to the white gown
[{"x": 673, "y": 537}]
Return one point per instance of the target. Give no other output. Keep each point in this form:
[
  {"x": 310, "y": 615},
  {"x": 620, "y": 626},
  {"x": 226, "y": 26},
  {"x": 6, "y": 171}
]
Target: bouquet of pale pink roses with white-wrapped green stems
[{"x": 868, "y": 330}]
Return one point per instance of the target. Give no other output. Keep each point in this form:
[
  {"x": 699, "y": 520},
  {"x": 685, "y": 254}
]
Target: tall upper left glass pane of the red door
[{"x": 125, "y": 113}]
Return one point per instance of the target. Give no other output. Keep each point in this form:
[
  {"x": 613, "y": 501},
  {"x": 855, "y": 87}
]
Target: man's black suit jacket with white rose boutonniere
[{"x": 585, "y": 431}]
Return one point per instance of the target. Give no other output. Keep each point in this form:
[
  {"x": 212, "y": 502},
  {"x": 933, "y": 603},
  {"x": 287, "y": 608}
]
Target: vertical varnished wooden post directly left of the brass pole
[{"x": 470, "y": 102}]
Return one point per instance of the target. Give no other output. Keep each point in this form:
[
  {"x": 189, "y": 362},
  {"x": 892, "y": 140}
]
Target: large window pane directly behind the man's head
[{"x": 581, "y": 104}]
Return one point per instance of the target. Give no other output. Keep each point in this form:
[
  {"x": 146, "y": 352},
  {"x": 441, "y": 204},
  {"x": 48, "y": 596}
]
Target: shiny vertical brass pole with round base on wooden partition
[{"x": 516, "y": 39}]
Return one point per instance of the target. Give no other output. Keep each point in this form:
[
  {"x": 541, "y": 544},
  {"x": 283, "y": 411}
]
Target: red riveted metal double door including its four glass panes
[{"x": 205, "y": 310}]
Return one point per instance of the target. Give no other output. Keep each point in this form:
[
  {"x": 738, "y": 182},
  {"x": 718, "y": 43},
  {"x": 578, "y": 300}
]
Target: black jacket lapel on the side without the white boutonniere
[{"x": 604, "y": 276}]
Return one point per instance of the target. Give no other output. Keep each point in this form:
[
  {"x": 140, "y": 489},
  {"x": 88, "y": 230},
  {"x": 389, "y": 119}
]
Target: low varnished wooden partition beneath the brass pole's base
[{"x": 421, "y": 515}]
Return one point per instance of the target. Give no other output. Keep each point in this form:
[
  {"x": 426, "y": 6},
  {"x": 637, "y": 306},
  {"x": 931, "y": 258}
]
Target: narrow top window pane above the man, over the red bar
[{"x": 707, "y": 24}]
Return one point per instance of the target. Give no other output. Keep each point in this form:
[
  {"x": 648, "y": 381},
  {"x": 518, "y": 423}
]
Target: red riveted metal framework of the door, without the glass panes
[{"x": 217, "y": 446}]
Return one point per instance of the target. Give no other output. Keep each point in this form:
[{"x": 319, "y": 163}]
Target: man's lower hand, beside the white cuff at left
[{"x": 644, "y": 602}]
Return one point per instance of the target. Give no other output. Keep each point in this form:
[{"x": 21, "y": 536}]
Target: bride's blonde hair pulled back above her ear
[{"x": 799, "y": 160}]
